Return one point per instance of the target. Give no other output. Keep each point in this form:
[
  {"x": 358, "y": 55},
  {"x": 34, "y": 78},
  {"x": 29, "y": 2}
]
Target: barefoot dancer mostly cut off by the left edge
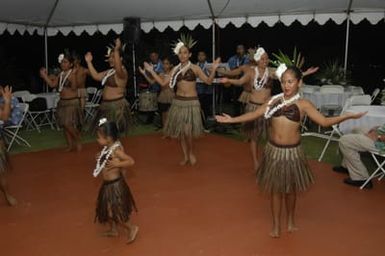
[{"x": 5, "y": 111}]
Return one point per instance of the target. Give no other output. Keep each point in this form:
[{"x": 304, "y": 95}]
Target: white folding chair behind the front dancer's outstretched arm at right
[{"x": 358, "y": 100}]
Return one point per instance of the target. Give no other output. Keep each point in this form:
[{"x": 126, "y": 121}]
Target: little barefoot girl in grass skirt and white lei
[{"x": 115, "y": 201}]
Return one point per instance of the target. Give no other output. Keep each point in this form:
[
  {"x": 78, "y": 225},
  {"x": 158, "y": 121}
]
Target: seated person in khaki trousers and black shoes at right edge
[{"x": 350, "y": 146}]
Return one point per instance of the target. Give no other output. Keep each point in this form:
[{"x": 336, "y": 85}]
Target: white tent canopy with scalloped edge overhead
[{"x": 77, "y": 16}]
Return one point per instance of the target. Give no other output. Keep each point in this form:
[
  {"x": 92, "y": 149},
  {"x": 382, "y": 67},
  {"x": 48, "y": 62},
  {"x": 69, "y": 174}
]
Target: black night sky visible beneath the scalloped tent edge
[{"x": 21, "y": 56}]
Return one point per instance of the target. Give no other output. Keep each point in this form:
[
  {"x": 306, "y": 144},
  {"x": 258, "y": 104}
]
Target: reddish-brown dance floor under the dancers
[{"x": 211, "y": 209}]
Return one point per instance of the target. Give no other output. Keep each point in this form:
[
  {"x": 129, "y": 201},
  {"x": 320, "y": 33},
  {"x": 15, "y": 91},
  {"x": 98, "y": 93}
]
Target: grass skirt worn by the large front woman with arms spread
[{"x": 284, "y": 169}]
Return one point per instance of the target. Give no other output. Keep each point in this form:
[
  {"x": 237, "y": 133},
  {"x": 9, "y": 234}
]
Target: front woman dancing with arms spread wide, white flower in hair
[{"x": 284, "y": 170}]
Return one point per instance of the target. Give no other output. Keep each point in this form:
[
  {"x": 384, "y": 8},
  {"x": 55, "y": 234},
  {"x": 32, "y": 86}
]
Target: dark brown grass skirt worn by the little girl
[{"x": 115, "y": 202}]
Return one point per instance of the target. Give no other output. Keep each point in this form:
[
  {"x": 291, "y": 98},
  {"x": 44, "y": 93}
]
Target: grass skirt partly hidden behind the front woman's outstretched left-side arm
[{"x": 254, "y": 129}]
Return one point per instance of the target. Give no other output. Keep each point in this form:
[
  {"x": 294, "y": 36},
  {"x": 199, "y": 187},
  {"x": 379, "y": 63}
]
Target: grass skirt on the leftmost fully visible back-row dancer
[{"x": 69, "y": 113}]
